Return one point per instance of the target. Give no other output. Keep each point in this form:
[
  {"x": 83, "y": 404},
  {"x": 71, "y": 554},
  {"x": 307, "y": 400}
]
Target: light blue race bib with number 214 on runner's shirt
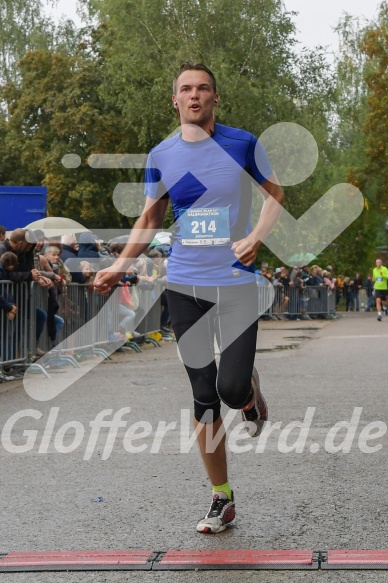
[{"x": 205, "y": 226}]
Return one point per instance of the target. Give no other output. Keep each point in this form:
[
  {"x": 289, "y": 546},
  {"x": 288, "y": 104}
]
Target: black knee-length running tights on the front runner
[{"x": 199, "y": 315}]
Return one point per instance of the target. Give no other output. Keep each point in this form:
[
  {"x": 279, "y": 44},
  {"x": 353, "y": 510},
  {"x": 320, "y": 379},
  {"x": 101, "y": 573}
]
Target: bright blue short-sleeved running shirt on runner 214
[{"x": 208, "y": 177}]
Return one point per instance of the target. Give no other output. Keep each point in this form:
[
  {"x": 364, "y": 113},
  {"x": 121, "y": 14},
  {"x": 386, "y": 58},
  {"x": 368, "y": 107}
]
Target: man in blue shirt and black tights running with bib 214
[{"x": 205, "y": 171}]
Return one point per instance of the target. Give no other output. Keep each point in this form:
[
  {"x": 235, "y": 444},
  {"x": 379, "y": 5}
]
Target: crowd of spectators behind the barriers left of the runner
[{"x": 53, "y": 263}]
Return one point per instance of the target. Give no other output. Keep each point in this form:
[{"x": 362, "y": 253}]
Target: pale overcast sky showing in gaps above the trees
[{"x": 315, "y": 21}]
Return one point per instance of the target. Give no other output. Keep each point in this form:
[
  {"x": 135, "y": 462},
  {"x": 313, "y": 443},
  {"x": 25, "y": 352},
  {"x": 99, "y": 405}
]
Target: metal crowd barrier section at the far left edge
[{"x": 14, "y": 333}]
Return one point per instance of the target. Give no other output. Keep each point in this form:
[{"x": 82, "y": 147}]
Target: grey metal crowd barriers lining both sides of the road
[{"x": 79, "y": 307}]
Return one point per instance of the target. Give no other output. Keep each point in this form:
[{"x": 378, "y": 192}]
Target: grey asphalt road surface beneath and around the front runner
[{"x": 322, "y": 489}]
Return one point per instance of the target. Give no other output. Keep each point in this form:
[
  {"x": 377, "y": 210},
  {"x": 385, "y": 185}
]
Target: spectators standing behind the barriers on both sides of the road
[{"x": 301, "y": 293}]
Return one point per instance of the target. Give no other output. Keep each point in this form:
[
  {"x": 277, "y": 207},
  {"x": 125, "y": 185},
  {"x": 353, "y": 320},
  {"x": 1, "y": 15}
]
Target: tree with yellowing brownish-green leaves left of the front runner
[{"x": 55, "y": 110}]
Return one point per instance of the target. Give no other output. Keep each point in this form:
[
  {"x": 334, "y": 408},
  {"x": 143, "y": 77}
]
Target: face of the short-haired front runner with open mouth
[{"x": 195, "y": 98}]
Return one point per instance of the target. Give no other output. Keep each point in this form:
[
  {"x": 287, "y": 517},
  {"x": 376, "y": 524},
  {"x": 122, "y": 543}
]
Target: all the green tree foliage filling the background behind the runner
[{"x": 106, "y": 89}]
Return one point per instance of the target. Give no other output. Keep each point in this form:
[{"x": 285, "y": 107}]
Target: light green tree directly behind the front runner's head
[{"x": 144, "y": 44}]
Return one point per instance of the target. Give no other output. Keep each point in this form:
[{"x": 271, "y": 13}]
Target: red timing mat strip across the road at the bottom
[{"x": 193, "y": 559}]
